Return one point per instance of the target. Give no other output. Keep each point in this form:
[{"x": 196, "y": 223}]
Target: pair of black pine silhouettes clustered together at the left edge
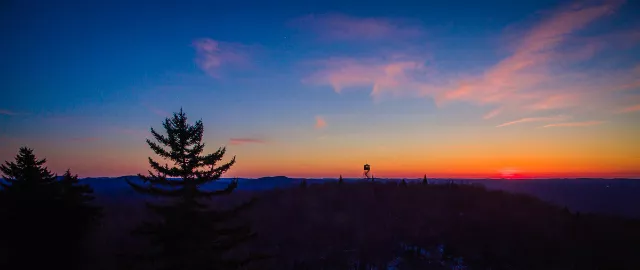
[{"x": 44, "y": 219}]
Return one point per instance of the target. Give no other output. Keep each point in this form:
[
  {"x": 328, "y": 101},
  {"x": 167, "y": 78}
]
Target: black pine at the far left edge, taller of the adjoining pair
[{"x": 28, "y": 203}]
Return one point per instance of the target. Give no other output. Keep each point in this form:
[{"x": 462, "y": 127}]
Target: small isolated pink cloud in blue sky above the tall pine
[{"x": 212, "y": 55}]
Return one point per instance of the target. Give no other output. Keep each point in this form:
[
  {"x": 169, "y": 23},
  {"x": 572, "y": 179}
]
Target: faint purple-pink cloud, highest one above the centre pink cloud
[{"x": 343, "y": 27}]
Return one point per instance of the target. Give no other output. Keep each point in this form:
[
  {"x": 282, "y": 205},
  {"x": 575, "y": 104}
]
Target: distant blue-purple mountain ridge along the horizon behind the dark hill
[{"x": 609, "y": 196}]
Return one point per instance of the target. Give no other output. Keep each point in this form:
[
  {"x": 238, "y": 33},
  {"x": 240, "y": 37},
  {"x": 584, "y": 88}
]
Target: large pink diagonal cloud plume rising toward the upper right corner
[{"x": 525, "y": 76}]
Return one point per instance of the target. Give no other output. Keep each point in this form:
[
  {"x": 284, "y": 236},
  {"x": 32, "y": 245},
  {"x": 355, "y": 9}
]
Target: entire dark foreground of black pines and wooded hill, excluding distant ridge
[{"x": 53, "y": 222}]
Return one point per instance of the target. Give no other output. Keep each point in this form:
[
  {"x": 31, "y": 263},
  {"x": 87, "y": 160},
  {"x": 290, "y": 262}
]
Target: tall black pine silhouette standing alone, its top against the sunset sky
[{"x": 190, "y": 235}]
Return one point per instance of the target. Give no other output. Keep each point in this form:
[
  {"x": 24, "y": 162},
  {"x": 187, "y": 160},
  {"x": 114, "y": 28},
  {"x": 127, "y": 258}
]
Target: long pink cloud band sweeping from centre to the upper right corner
[{"x": 526, "y": 79}]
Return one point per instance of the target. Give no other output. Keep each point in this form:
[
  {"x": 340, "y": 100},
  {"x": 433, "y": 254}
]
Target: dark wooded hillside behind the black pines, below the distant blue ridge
[{"x": 389, "y": 225}]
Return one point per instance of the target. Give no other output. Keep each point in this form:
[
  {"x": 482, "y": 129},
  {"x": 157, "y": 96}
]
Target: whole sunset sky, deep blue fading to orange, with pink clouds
[{"x": 515, "y": 89}]
